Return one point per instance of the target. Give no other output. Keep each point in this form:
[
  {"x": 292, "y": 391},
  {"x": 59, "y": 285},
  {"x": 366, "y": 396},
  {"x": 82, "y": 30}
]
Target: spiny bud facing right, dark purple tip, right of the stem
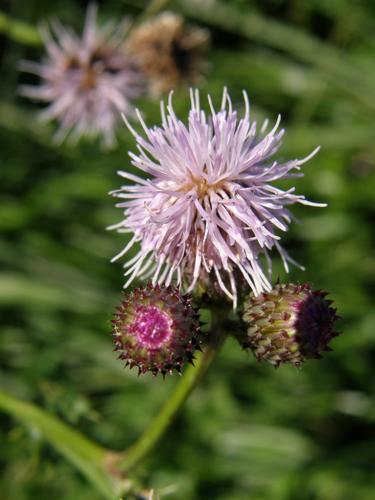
[{"x": 289, "y": 324}]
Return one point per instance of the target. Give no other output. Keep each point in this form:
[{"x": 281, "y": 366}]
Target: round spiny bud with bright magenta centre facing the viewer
[{"x": 156, "y": 329}]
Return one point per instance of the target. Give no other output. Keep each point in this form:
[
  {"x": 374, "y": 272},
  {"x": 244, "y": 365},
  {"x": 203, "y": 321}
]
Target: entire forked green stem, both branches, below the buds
[{"x": 105, "y": 468}]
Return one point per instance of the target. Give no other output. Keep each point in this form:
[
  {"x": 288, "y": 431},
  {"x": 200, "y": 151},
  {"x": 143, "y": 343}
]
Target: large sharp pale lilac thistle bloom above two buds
[{"x": 208, "y": 208}]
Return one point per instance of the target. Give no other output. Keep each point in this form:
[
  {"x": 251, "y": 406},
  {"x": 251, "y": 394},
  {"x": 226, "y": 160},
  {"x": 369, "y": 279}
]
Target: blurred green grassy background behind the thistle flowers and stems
[{"x": 249, "y": 431}]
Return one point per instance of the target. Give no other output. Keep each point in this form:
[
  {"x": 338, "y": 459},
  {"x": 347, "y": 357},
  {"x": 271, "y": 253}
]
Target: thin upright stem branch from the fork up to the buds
[{"x": 164, "y": 418}]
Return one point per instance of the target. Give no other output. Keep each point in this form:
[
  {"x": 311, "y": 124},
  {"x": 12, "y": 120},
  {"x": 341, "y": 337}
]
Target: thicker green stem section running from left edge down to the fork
[{"x": 88, "y": 457}]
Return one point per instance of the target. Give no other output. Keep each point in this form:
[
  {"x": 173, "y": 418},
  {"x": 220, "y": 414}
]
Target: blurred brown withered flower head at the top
[{"x": 168, "y": 52}]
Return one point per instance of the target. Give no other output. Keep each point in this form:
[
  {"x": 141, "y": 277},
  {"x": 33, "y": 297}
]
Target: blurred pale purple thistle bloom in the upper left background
[{"x": 87, "y": 81}]
